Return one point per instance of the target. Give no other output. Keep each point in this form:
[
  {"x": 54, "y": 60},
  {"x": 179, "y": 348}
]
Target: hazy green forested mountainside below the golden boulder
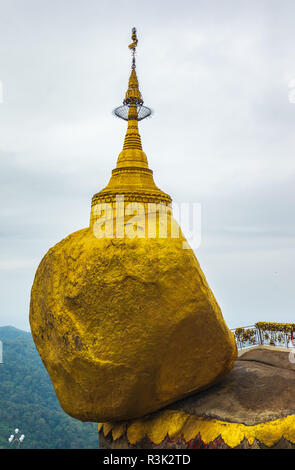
[{"x": 28, "y": 400}]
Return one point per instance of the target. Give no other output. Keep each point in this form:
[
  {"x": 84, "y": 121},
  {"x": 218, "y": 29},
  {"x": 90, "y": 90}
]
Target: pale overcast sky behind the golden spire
[{"x": 216, "y": 74}]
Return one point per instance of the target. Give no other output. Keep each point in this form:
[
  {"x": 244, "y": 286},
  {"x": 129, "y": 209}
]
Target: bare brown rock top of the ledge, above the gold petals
[{"x": 259, "y": 388}]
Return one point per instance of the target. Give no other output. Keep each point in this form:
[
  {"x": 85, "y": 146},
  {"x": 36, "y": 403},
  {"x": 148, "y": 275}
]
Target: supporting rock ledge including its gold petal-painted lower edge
[{"x": 253, "y": 407}]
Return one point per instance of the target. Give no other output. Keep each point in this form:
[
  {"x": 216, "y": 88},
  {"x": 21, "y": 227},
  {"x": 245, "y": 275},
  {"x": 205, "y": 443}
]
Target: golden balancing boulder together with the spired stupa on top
[{"x": 121, "y": 313}]
